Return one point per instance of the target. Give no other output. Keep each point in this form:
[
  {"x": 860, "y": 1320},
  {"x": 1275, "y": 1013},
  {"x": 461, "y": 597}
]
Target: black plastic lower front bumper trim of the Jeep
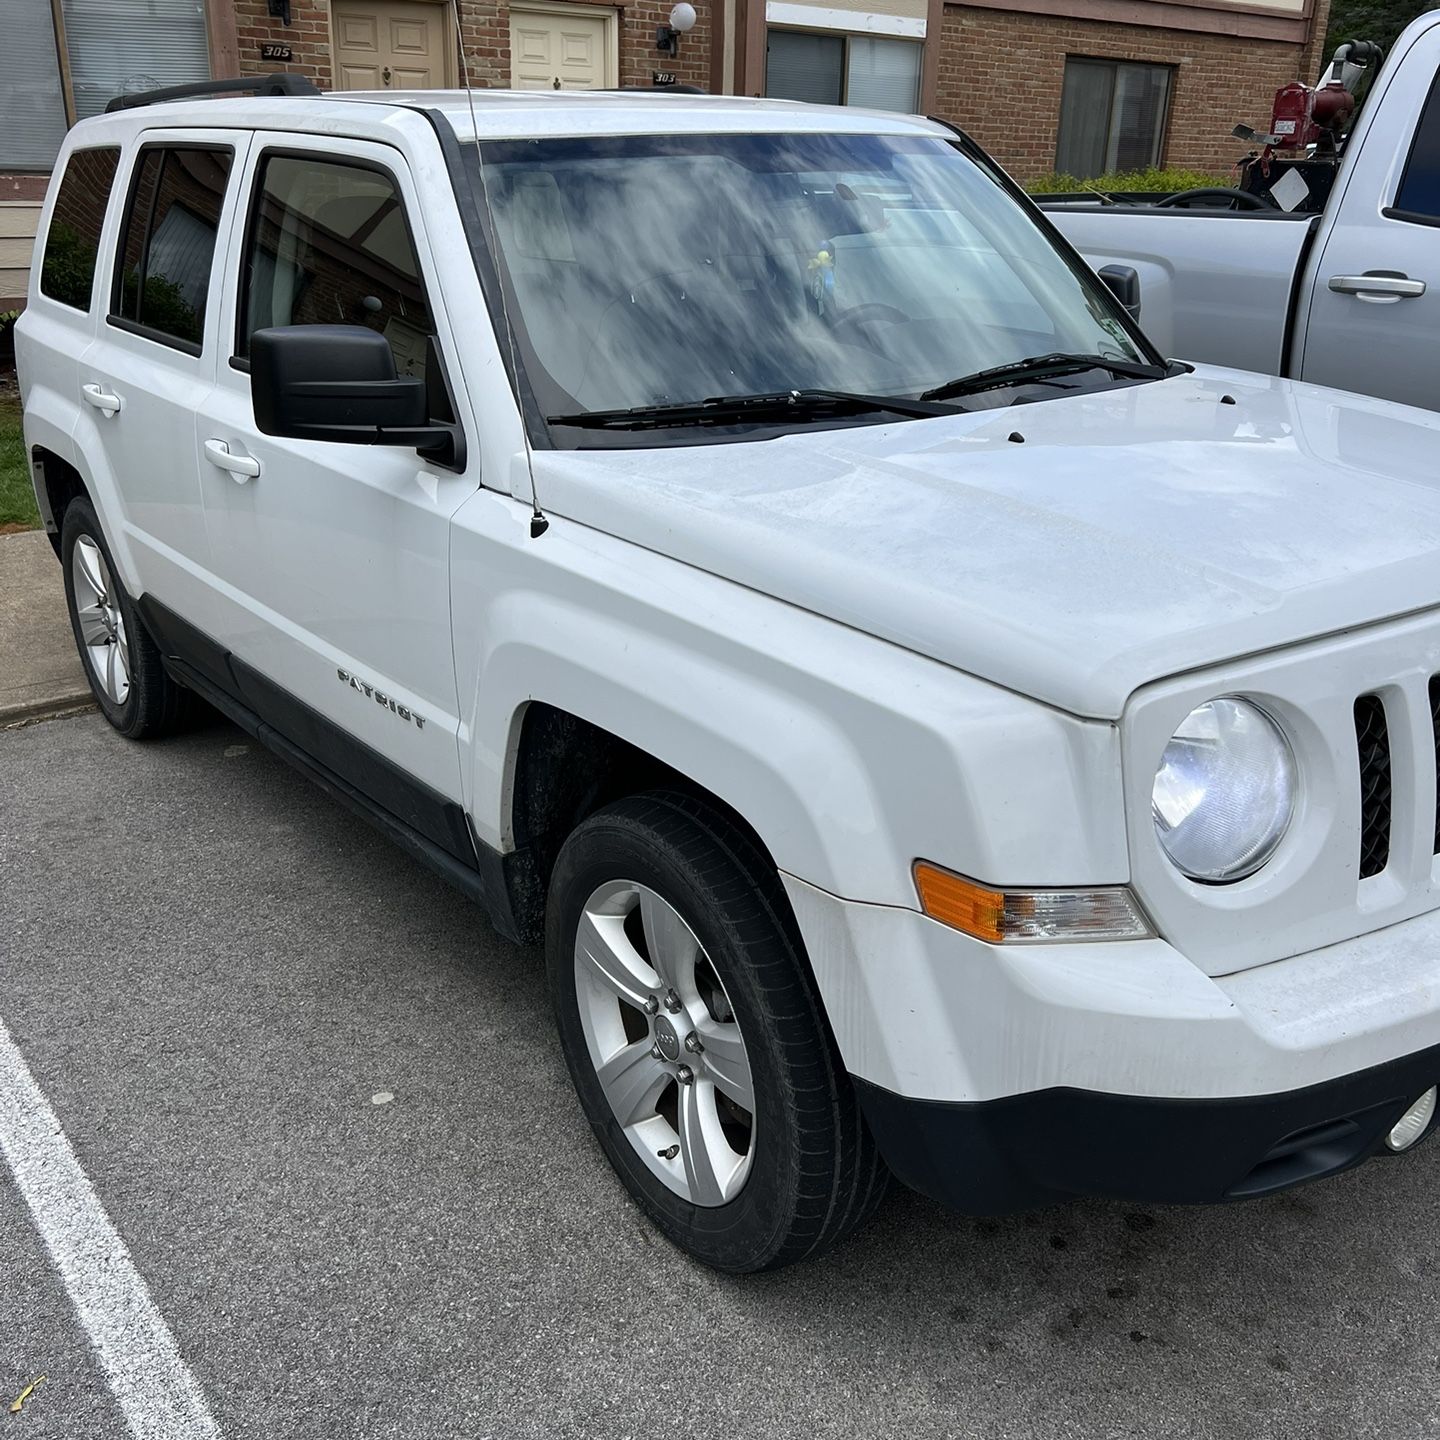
[{"x": 994, "y": 1157}]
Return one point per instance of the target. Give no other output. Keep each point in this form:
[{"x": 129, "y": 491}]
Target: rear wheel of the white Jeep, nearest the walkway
[{"x": 122, "y": 662}]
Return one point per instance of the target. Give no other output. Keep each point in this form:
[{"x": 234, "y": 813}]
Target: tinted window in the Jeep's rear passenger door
[{"x": 169, "y": 241}]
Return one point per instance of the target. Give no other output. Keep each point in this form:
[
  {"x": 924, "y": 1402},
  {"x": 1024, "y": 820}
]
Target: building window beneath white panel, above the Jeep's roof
[{"x": 843, "y": 70}]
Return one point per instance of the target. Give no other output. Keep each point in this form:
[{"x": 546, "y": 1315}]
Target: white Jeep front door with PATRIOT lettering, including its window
[{"x": 333, "y": 561}]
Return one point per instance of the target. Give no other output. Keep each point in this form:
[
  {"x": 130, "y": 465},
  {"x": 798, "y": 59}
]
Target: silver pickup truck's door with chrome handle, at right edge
[{"x": 1376, "y": 280}]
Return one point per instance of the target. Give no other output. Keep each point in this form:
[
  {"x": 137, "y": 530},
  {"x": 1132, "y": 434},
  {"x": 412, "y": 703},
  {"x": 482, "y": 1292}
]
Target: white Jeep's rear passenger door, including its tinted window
[{"x": 152, "y": 362}]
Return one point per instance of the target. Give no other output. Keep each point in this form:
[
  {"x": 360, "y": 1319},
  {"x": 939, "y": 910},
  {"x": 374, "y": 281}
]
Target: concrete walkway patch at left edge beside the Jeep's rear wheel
[{"x": 41, "y": 673}]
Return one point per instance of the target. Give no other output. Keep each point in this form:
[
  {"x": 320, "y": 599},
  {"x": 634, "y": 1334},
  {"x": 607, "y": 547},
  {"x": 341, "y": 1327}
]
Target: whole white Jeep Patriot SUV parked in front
[{"x": 742, "y": 546}]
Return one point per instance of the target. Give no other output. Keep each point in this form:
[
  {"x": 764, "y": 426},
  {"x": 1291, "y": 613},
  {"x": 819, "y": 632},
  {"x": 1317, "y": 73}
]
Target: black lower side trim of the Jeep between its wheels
[{"x": 423, "y": 823}]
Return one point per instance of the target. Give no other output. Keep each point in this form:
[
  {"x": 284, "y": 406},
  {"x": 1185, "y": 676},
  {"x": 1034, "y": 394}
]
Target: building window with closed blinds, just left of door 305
[{"x": 119, "y": 50}]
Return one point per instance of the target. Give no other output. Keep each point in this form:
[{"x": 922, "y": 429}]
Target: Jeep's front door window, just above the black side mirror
[{"x": 329, "y": 246}]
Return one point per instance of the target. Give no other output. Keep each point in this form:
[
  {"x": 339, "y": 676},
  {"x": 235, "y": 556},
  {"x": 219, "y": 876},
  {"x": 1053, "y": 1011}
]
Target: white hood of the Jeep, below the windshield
[{"x": 1135, "y": 534}]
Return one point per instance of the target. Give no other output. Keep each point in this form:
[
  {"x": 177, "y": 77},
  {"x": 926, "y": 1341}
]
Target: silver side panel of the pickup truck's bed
[{"x": 1216, "y": 286}]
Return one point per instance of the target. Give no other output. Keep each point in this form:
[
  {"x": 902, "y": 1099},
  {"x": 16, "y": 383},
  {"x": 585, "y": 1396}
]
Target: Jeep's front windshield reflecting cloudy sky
[{"x": 660, "y": 270}]
